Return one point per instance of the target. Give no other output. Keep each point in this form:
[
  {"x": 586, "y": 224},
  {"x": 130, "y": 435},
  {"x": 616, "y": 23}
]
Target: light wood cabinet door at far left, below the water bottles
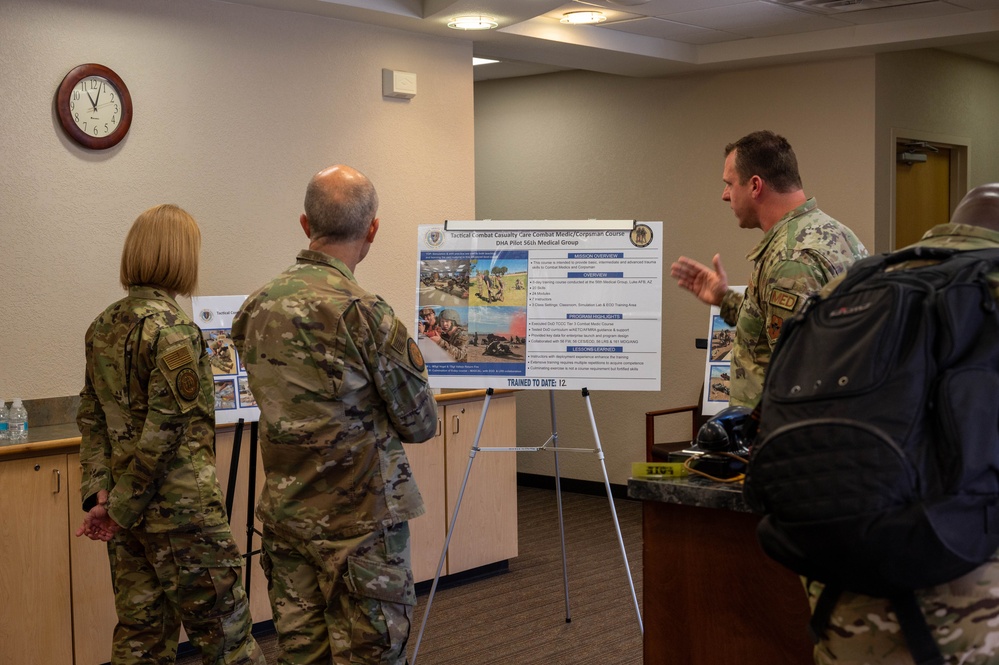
[{"x": 37, "y": 625}]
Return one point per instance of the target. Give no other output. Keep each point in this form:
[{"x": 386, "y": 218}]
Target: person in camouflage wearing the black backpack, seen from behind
[{"x": 963, "y": 614}]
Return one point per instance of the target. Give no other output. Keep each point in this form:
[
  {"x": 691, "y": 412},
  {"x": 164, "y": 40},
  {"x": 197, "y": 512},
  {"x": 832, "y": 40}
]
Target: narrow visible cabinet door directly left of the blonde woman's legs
[{"x": 94, "y": 617}]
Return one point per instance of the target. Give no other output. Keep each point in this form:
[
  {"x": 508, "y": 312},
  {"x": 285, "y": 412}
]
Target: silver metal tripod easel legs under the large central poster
[{"x": 553, "y": 439}]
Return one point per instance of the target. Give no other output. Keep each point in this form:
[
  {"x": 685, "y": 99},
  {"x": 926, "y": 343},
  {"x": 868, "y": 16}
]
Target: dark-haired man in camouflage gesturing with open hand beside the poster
[{"x": 802, "y": 249}]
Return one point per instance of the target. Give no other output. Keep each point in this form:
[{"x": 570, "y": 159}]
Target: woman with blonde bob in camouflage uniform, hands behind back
[{"x": 147, "y": 421}]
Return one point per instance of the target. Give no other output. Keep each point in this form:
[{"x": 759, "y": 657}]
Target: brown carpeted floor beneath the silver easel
[{"x": 519, "y": 617}]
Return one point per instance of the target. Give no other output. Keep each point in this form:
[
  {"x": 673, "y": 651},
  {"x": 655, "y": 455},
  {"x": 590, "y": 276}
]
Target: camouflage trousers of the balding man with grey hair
[{"x": 350, "y": 599}]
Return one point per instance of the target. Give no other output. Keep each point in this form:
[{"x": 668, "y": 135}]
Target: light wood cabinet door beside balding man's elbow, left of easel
[{"x": 427, "y": 532}]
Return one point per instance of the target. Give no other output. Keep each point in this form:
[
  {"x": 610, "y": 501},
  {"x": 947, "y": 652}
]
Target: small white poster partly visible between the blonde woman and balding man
[{"x": 233, "y": 400}]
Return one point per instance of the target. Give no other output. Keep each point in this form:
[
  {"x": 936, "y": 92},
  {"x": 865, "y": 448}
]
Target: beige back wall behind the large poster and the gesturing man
[{"x": 580, "y": 145}]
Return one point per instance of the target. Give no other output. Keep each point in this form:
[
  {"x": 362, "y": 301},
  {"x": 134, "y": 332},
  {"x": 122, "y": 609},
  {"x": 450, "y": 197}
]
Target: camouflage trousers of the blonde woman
[{"x": 164, "y": 579}]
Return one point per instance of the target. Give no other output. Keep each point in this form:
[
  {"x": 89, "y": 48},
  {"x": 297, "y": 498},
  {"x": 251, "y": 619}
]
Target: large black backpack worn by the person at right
[{"x": 876, "y": 464}]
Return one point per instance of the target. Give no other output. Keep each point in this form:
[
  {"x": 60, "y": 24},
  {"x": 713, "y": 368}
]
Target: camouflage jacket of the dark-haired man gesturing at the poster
[{"x": 796, "y": 257}]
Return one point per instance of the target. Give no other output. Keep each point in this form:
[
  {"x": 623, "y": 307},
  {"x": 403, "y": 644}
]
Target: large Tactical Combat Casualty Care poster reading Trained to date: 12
[{"x": 540, "y": 304}]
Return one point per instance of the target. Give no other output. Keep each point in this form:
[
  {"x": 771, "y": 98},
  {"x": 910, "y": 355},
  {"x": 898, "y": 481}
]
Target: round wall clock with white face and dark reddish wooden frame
[{"x": 94, "y": 106}]
